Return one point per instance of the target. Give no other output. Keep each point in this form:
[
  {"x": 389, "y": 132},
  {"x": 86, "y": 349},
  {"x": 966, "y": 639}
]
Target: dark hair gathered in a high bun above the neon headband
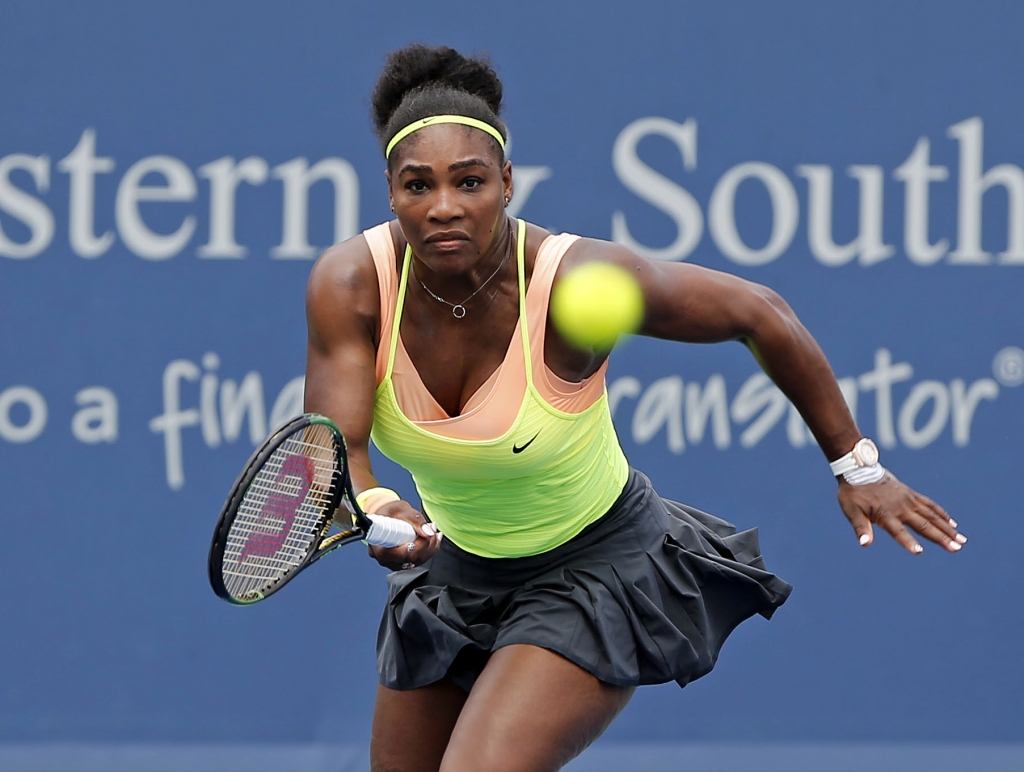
[{"x": 419, "y": 82}]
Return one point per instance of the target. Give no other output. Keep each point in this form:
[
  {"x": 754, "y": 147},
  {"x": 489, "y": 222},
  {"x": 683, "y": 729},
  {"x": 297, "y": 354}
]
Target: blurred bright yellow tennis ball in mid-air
[{"x": 595, "y": 304}]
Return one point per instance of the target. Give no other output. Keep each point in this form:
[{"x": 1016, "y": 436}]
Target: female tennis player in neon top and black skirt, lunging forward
[{"x": 563, "y": 581}]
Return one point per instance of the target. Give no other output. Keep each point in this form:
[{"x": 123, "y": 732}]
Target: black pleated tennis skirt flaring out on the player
[{"x": 646, "y": 595}]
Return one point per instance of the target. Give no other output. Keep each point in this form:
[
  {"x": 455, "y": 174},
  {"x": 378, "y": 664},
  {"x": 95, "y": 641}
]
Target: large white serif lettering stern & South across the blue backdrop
[{"x": 160, "y": 179}]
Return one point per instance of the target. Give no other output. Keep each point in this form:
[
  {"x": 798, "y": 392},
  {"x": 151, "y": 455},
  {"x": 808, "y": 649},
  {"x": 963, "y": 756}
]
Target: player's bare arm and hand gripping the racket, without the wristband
[{"x": 344, "y": 320}]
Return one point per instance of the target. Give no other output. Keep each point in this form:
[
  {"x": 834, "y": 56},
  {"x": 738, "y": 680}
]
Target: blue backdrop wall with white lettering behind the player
[{"x": 169, "y": 173}]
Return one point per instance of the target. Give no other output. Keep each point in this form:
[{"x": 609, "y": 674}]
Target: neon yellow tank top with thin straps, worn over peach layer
[{"x": 524, "y": 493}]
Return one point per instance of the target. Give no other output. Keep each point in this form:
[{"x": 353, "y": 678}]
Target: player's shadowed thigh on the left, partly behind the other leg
[{"x": 412, "y": 728}]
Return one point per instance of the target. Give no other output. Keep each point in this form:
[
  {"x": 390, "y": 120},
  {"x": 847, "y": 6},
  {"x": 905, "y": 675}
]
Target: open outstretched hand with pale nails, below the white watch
[{"x": 900, "y": 510}]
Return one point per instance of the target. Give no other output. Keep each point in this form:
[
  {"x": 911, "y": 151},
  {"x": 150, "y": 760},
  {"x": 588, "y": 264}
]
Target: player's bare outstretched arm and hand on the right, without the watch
[{"x": 690, "y": 304}]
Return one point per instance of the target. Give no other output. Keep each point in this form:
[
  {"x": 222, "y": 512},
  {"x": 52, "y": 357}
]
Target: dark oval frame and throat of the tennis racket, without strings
[{"x": 343, "y": 503}]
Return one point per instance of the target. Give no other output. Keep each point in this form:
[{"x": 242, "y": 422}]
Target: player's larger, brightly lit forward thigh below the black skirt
[{"x": 531, "y": 711}]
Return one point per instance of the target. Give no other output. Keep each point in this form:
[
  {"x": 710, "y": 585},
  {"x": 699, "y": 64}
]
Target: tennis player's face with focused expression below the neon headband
[{"x": 449, "y": 187}]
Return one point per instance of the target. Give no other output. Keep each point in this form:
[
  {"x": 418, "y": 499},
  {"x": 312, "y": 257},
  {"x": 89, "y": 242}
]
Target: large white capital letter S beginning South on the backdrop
[{"x": 657, "y": 190}]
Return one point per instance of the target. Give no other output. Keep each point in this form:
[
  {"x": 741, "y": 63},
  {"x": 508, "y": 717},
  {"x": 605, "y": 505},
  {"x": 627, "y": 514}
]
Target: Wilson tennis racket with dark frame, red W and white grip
[{"x": 292, "y": 505}]
